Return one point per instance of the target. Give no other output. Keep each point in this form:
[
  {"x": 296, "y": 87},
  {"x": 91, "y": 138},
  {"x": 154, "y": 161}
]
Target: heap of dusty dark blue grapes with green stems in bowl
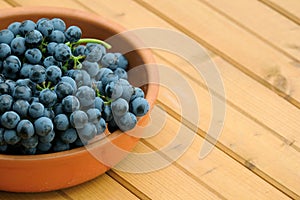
[{"x": 58, "y": 90}]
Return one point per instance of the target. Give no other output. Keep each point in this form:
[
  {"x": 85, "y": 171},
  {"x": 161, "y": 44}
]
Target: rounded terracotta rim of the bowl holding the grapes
[{"x": 146, "y": 55}]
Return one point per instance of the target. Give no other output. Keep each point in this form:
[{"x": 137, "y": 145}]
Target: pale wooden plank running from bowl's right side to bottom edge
[{"x": 237, "y": 181}]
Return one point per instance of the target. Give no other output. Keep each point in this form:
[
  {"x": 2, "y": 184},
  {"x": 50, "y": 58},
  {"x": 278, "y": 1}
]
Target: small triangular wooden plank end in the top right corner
[{"x": 288, "y": 8}]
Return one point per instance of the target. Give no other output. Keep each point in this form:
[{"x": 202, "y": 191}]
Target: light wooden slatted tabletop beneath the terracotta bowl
[{"x": 255, "y": 45}]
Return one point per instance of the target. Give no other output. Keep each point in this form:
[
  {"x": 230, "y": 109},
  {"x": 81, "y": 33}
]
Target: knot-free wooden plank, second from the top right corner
[{"x": 269, "y": 25}]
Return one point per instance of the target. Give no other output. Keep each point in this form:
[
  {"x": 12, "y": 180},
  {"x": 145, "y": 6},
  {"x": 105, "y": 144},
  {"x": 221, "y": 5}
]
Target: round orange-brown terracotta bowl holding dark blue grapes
[{"x": 47, "y": 172}]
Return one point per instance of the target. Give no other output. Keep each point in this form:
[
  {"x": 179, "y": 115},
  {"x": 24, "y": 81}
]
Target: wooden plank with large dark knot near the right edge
[{"x": 237, "y": 46}]
